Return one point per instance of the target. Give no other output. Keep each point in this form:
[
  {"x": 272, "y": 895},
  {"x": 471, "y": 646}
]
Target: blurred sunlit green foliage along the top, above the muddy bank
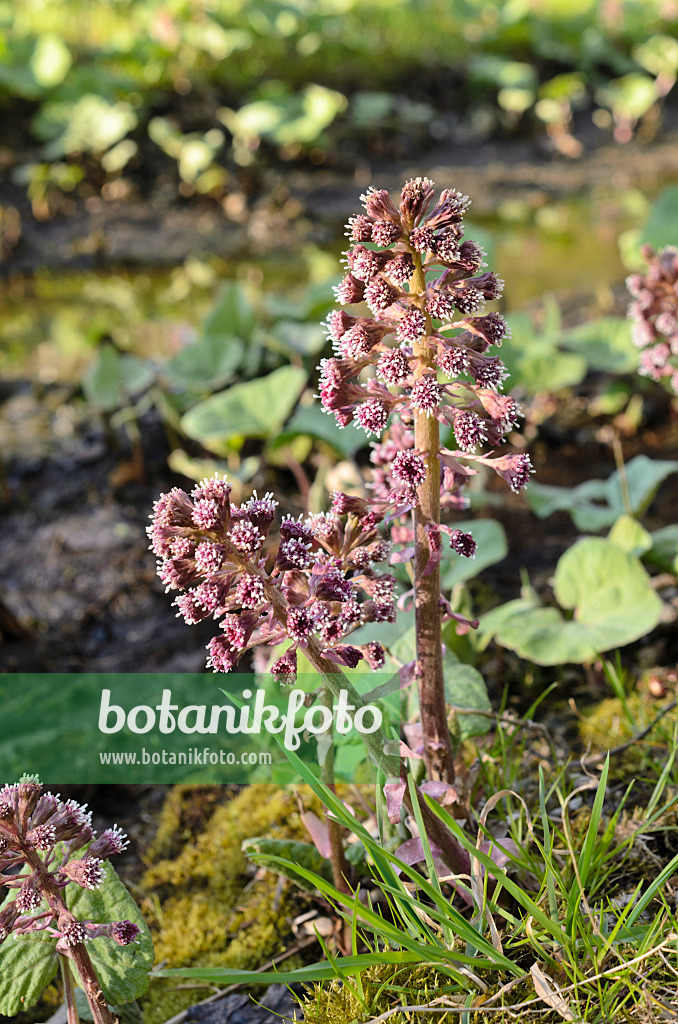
[{"x": 203, "y": 90}]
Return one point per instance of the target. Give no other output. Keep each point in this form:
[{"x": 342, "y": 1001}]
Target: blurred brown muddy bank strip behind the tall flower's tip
[{"x": 286, "y": 208}]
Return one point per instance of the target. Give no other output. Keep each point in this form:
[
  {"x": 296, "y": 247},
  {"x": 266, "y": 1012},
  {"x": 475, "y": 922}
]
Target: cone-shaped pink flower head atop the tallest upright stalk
[{"x": 428, "y": 339}]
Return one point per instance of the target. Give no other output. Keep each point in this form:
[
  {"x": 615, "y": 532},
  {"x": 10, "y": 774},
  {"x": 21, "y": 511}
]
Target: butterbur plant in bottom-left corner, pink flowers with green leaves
[{"x": 63, "y": 893}]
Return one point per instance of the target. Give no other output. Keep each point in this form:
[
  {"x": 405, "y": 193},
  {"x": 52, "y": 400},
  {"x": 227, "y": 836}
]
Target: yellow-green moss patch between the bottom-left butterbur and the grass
[{"x": 206, "y": 906}]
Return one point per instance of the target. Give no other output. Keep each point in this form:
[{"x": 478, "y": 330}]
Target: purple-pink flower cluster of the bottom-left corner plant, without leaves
[{"x": 41, "y": 835}]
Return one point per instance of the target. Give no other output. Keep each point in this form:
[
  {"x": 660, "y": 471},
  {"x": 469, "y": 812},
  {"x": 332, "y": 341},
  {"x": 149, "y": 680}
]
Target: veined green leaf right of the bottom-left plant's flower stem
[{"x": 122, "y": 971}]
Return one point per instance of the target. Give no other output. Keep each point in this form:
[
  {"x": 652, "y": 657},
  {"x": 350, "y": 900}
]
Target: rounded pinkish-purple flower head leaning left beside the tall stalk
[{"x": 319, "y": 580}]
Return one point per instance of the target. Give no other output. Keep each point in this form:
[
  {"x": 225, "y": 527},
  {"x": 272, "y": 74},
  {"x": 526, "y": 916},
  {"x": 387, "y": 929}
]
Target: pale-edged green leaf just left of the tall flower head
[{"x": 255, "y": 409}]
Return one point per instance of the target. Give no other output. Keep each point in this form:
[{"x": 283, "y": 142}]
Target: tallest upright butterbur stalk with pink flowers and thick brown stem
[{"x": 433, "y": 370}]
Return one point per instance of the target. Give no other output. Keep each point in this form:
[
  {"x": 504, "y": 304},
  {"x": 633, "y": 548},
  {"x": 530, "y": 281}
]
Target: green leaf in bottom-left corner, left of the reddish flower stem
[{"x": 27, "y": 967}]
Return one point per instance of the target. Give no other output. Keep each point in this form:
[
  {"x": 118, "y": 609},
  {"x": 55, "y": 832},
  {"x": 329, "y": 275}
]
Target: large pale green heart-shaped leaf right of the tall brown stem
[{"x": 610, "y": 594}]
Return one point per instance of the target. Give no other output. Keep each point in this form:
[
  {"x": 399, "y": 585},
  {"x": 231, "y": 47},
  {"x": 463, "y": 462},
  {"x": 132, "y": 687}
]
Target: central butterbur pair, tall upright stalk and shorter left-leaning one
[{"x": 419, "y": 359}]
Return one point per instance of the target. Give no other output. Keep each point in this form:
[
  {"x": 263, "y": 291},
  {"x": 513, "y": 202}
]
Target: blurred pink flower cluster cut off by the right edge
[{"x": 655, "y": 315}]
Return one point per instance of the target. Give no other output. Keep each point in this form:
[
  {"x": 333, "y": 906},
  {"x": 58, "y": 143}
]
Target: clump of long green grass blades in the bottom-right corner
[{"x": 575, "y": 925}]
